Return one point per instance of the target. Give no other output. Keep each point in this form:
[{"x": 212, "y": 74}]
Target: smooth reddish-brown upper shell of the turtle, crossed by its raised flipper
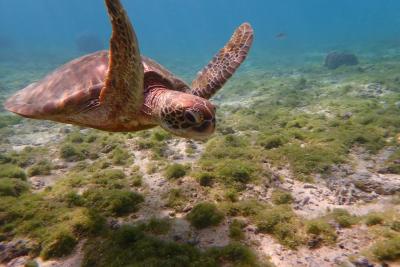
[{"x": 70, "y": 88}]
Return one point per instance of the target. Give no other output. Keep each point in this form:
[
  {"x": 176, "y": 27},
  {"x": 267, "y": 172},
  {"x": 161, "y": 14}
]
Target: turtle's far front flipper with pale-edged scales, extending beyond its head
[{"x": 224, "y": 64}]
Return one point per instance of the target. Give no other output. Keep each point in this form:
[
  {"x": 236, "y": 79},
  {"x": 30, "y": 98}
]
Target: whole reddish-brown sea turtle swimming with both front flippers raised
[{"x": 121, "y": 91}]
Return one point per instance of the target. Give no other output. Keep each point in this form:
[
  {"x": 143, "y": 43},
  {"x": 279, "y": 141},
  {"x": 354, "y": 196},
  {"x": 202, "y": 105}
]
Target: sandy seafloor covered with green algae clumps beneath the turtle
[{"x": 304, "y": 170}]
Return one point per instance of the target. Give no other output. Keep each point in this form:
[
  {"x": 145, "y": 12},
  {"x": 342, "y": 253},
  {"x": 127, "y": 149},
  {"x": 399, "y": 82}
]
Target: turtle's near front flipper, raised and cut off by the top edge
[{"x": 123, "y": 90}]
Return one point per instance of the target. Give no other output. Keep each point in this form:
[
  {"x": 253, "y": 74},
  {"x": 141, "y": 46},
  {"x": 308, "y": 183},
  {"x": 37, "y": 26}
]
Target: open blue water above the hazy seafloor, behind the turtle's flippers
[{"x": 195, "y": 29}]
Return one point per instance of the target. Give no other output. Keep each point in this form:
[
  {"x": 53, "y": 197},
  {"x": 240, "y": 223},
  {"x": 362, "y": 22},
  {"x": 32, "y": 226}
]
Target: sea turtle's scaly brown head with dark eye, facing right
[{"x": 188, "y": 116}]
